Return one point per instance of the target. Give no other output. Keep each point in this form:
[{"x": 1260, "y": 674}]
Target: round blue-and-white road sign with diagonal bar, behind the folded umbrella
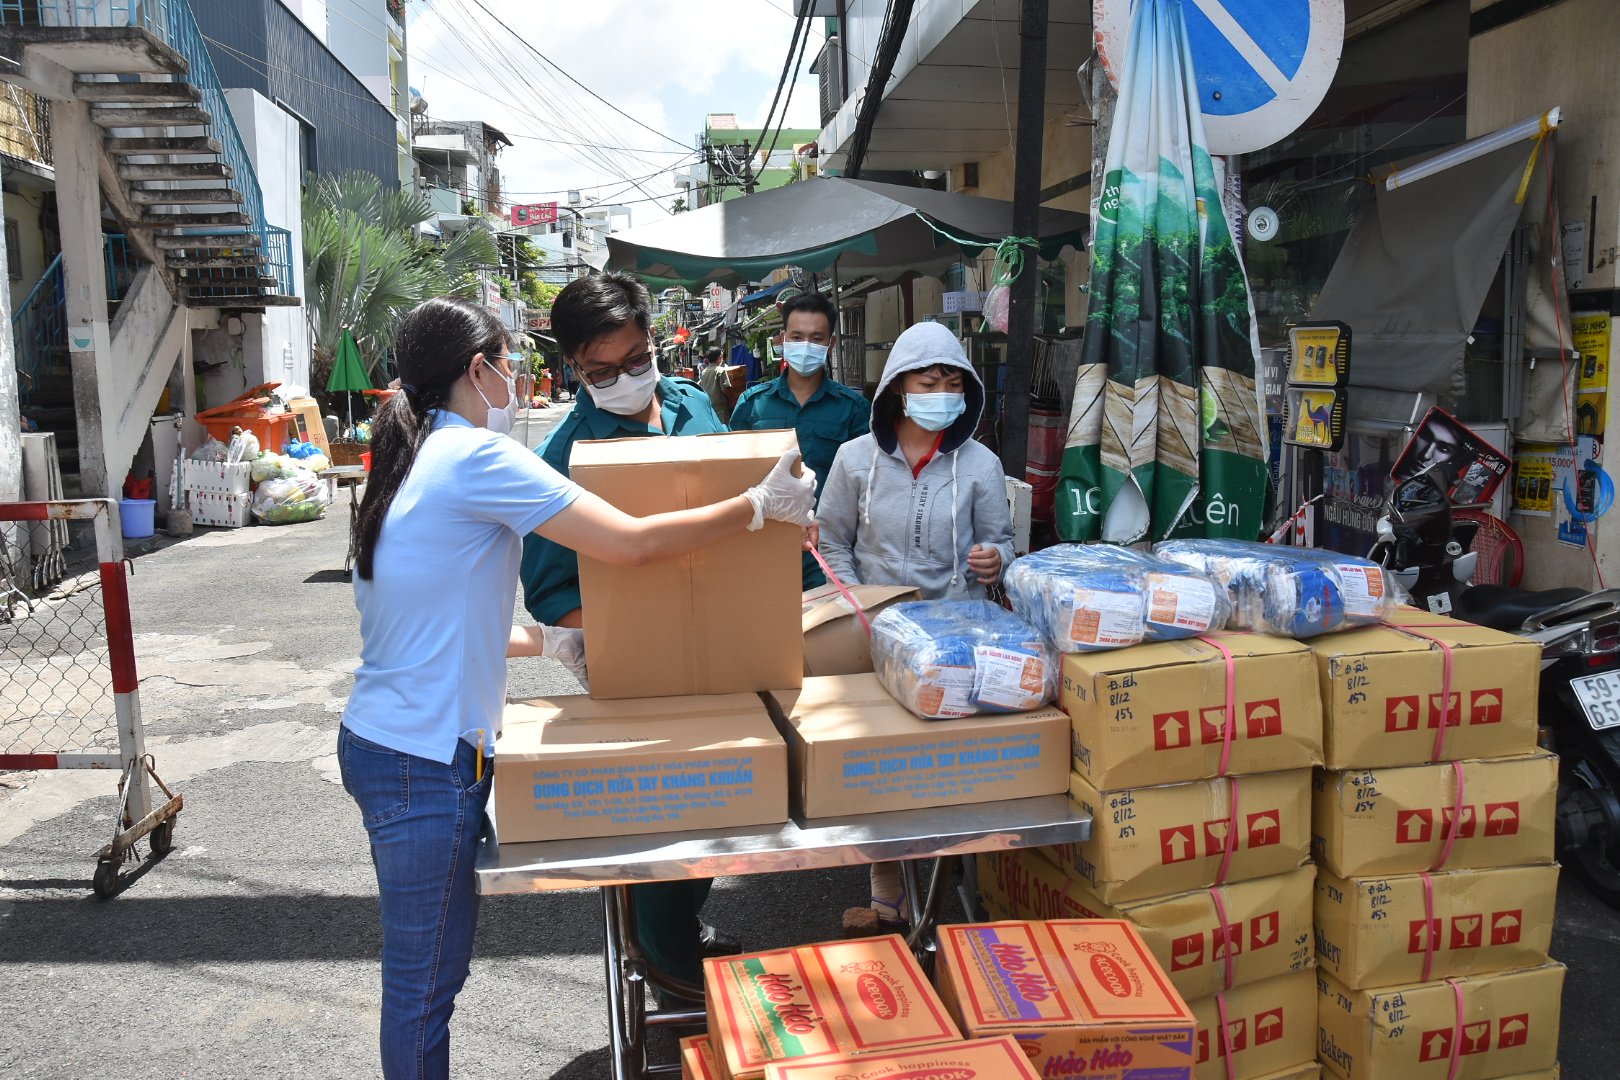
[{"x": 1263, "y": 66}]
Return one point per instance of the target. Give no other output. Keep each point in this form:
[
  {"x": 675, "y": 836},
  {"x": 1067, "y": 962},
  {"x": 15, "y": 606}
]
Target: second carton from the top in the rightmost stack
[{"x": 1396, "y": 822}]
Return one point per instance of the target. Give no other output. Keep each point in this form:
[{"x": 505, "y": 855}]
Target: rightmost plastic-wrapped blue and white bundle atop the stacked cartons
[{"x": 1290, "y": 592}]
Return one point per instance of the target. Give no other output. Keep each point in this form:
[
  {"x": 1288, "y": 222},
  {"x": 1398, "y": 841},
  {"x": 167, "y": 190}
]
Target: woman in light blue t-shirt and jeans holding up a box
[{"x": 440, "y": 540}]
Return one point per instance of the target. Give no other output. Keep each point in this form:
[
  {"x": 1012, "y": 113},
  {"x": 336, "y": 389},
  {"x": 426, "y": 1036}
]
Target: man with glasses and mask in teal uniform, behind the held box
[{"x": 603, "y": 326}]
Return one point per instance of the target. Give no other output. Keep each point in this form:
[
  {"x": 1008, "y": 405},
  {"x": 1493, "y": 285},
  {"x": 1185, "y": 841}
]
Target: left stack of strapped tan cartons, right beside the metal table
[{"x": 1201, "y": 835}]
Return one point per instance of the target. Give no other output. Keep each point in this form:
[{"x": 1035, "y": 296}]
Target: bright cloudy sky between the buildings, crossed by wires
[{"x": 665, "y": 66}]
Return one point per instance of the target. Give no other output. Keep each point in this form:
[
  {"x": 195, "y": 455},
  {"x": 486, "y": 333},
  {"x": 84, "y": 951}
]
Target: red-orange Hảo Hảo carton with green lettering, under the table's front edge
[{"x": 819, "y": 1003}]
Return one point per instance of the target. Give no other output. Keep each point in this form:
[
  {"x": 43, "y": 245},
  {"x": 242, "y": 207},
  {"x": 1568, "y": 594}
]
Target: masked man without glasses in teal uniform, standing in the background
[{"x": 824, "y": 412}]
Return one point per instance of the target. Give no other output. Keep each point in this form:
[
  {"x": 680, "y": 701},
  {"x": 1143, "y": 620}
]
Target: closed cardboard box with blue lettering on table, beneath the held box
[{"x": 578, "y": 767}]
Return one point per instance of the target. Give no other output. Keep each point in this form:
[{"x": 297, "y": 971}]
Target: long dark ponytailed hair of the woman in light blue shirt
[{"x": 433, "y": 349}]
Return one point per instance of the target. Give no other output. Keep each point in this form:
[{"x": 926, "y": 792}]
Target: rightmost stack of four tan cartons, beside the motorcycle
[{"x": 1433, "y": 833}]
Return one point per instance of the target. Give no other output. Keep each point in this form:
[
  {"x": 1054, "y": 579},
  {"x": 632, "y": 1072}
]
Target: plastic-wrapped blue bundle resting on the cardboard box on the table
[{"x": 957, "y": 658}]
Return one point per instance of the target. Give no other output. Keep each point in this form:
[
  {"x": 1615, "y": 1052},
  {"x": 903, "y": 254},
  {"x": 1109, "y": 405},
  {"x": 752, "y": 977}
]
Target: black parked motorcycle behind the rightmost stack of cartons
[{"x": 1428, "y": 555}]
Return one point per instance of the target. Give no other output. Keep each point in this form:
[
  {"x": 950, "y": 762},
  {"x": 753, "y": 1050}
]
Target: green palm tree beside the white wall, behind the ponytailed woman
[{"x": 365, "y": 265}]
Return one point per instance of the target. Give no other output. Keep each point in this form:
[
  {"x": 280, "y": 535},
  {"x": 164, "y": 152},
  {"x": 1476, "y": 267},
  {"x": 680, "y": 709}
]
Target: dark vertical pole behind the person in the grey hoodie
[{"x": 1026, "y": 223}]
